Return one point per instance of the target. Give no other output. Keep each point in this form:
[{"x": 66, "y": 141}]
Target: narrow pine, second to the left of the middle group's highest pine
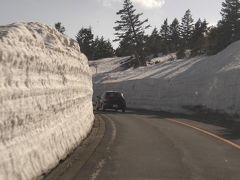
[{"x": 164, "y": 35}]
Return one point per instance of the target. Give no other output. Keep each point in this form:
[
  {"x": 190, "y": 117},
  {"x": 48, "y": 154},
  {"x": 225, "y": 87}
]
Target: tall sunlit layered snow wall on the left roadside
[{"x": 45, "y": 99}]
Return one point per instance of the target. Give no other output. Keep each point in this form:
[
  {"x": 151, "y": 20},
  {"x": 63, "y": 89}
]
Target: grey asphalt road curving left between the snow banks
[{"x": 145, "y": 146}]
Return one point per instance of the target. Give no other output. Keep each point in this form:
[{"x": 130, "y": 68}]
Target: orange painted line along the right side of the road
[{"x": 206, "y": 132}]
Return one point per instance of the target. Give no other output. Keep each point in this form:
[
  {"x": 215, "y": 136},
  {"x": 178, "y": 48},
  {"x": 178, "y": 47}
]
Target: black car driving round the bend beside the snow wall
[{"x": 111, "y": 100}]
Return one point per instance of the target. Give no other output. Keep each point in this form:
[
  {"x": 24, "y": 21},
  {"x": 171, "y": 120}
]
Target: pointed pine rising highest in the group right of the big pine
[{"x": 186, "y": 29}]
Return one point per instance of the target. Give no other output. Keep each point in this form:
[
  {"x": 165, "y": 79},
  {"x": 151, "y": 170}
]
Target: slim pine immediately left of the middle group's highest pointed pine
[{"x": 174, "y": 35}]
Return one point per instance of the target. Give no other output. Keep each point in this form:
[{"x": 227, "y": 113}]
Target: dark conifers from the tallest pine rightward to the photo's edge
[{"x": 177, "y": 36}]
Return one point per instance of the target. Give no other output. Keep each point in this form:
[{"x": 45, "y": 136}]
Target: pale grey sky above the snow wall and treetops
[{"x": 101, "y": 14}]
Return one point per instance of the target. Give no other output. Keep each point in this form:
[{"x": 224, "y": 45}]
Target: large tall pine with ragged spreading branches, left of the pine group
[{"x": 130, "y": 28}]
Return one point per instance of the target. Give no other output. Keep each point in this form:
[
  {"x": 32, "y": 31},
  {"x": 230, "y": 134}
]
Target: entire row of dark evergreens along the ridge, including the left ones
[{"x": 176, "y": 36}]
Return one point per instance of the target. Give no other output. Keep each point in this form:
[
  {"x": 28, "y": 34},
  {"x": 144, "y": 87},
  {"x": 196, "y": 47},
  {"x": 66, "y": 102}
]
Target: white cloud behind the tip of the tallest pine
[{"x": 143, "y": 3}]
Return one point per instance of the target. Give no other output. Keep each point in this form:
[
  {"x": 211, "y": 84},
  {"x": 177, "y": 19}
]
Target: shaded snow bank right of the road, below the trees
[{"x": 201, "y": 83}]
